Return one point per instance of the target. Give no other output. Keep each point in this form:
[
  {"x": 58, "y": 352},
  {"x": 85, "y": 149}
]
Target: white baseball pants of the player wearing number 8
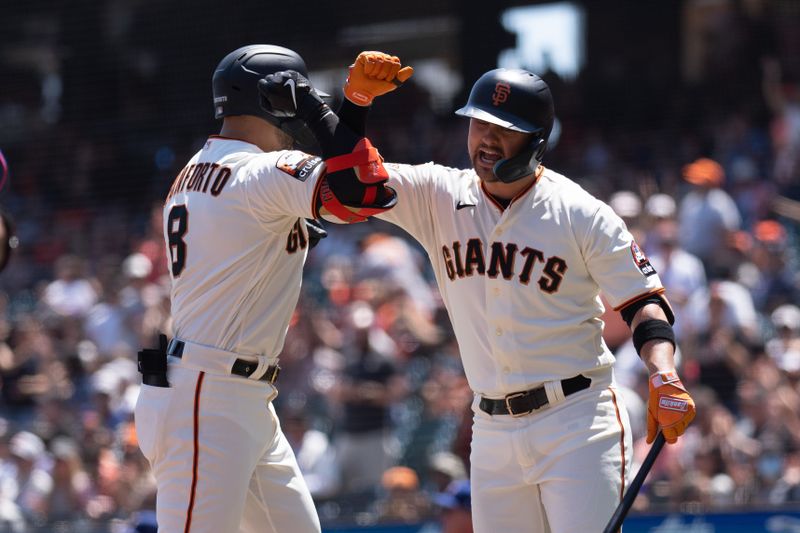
[{"x": 221, "y": 461}]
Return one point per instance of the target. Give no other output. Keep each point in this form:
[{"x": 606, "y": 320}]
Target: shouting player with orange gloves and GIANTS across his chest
[{"x": 521, "y": 254}]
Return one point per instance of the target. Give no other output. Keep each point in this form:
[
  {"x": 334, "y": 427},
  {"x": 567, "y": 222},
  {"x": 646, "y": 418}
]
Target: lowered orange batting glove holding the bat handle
[{"x": 669, "y": 407}]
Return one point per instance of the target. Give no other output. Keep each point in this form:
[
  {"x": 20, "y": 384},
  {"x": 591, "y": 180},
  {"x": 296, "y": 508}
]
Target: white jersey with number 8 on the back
[{"x": 236, "y": 270}]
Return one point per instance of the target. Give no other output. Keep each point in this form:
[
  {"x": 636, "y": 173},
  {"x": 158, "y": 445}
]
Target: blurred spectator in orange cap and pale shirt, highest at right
[{"x": 708, "y": 216}]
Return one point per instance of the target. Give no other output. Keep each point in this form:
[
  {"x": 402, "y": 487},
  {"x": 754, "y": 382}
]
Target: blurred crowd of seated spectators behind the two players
[{"x": 372, "y": 392}]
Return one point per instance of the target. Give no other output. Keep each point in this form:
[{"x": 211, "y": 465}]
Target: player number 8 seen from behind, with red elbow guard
[{"x": 236, "y": 242}]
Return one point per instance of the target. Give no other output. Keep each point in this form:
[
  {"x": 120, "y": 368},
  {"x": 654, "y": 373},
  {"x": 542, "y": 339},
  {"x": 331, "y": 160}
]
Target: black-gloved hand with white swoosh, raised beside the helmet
[{"x": 288, "y": 94}]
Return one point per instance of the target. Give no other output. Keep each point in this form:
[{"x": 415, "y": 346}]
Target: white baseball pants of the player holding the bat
[{"x": 561, "y": 469}]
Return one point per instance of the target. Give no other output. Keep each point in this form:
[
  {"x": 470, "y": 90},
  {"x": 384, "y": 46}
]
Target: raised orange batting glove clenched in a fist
[{"x": 374, "y": 74}]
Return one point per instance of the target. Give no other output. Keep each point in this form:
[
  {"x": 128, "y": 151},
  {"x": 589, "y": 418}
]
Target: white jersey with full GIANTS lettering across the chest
[{"x": 521, "y": 284}]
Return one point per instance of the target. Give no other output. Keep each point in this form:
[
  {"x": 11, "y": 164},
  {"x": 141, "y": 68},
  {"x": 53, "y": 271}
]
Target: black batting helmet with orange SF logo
[{"x": 518, "y": 100}]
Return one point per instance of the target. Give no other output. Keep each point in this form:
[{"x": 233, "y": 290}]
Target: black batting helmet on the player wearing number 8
[{"x": 235, "y": 85}]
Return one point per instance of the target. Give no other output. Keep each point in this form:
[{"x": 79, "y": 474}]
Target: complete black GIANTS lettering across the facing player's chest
[{"x": 506, "y": 260}]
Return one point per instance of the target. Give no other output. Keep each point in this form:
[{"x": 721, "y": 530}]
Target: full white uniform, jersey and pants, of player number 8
[{"x": 236, "y": 238}]
